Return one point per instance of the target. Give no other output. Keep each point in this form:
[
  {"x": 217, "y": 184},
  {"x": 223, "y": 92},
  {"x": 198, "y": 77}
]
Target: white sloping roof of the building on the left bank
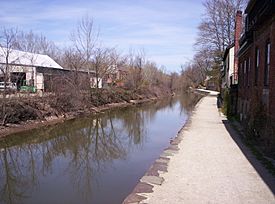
[{"x": 17, "y": 57}]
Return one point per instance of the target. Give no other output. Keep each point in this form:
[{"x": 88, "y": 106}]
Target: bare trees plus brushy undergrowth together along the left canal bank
[{"x": 73, "y": 93}]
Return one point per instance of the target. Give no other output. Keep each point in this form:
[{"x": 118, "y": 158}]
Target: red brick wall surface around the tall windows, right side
[{"x": 249, "y": 96}]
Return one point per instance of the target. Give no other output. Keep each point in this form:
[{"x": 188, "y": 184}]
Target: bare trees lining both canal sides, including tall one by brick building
[{"x": 215, "y": 33}]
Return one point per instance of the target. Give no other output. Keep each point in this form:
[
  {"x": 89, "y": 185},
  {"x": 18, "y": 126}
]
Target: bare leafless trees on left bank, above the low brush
[{"x": 86, "y": 53}]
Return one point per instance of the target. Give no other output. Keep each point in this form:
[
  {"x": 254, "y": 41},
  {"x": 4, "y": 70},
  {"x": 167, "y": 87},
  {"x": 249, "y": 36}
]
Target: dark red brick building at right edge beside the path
[{"x": 256, "y": 66}]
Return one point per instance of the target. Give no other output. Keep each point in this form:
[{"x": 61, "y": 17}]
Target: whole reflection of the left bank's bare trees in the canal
[{"x": 89, "y": 145}]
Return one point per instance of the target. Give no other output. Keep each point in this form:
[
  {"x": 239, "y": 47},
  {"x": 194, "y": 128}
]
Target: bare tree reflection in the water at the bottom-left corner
[{"x": 17, "y": 173}]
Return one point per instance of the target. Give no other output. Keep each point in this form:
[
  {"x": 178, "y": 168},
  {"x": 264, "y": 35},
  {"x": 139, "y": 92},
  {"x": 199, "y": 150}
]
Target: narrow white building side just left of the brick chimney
[{"x": 228, "y": 67}]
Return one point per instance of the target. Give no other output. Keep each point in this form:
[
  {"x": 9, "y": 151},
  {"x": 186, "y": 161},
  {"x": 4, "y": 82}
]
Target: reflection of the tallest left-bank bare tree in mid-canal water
[{"x": 98, "y": 144}]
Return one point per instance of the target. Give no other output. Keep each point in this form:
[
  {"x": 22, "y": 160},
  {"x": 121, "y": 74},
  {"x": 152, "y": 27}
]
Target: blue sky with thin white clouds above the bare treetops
[{"x": 165, "y": 29}]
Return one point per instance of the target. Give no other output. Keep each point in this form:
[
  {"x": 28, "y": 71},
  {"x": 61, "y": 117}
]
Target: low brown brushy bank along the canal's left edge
[{"x": 26, "y": 112}]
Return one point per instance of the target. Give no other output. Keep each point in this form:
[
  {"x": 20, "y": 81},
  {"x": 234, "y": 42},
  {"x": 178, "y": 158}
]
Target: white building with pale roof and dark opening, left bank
[{"x": 22, "y": 67}]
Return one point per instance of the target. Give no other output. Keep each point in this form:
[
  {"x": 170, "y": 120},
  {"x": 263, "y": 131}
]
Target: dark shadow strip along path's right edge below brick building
[{"x": 265, "y": 175}]
